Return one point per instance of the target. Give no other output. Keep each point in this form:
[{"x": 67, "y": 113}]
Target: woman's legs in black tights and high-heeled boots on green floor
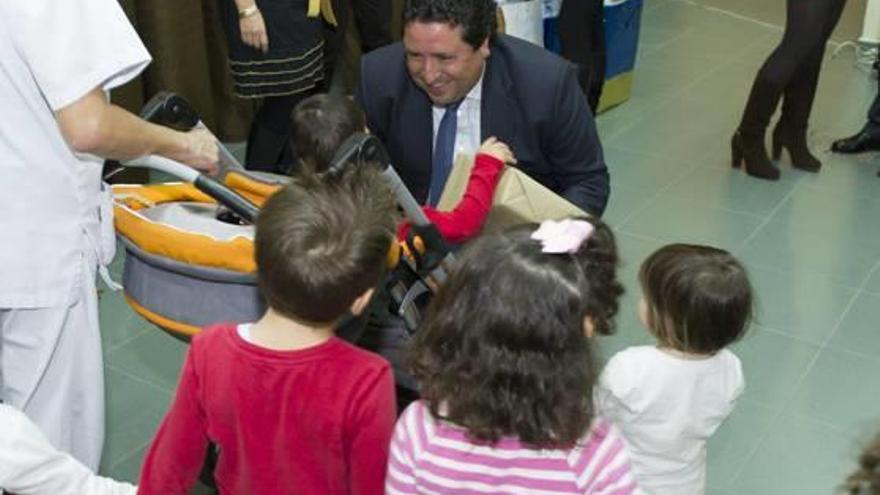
[{"x": 798, "y": 55}]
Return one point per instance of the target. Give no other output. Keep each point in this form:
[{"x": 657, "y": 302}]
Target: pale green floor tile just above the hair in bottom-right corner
[{"x": 840, "y": 389}]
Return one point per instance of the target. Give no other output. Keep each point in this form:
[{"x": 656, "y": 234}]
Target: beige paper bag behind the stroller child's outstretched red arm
[{"x": 518, "y": 198}]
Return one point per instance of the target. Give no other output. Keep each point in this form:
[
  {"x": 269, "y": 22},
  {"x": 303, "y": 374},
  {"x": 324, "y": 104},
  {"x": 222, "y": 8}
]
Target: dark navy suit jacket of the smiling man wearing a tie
[{"x": 531, "y": 101}]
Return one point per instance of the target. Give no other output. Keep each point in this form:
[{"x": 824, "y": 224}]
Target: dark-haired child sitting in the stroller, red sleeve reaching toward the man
[{"x": 321, "y": 123}]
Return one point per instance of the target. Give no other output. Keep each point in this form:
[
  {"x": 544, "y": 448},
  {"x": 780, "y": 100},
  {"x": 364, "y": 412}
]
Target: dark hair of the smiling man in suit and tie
[{"x": 476, "y": 18}]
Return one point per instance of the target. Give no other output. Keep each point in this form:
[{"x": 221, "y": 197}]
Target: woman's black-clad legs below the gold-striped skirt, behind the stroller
[{"x": 268, "y": 148}]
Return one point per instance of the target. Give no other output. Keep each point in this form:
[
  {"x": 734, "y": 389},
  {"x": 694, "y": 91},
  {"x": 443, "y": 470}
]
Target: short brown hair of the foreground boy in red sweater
[{"x": 322, "y": 242}]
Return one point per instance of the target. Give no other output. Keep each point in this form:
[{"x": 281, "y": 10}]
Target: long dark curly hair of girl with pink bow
[{"x": 503, "y": 350}]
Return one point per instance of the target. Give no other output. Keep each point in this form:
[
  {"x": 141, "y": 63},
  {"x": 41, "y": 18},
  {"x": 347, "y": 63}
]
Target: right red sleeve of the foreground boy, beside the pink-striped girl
[{"x": 371, "y": 429}]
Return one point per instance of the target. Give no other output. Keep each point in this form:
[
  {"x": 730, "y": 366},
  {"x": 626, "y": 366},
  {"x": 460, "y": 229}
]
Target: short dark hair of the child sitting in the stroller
[{"x": 320, "y": 124}]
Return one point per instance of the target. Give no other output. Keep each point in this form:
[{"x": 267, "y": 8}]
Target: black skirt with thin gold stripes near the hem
[{"x": 295, "y": 60}]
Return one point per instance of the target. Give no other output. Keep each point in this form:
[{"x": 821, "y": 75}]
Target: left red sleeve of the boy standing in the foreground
[{"x": 177, "y": 453}]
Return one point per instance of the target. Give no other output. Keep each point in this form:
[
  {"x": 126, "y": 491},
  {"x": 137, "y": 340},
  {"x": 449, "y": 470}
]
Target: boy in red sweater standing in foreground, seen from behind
[{"x": 290, "y": 407}]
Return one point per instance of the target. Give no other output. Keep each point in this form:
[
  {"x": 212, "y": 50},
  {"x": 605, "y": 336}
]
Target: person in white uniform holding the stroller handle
[{"x": 57, "y": 60}]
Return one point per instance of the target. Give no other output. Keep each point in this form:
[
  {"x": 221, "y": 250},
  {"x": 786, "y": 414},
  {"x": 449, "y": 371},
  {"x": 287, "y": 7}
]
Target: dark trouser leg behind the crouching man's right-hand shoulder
[{"x": 582, "y": 39}]
